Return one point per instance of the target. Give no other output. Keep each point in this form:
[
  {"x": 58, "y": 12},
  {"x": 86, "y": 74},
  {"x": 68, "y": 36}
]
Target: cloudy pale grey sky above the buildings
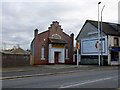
[{"x": 19, "y": 18}]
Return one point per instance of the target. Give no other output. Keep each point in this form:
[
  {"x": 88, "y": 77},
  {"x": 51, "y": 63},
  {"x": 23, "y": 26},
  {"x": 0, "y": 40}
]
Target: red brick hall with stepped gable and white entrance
[{"x": 52, "y": 46}]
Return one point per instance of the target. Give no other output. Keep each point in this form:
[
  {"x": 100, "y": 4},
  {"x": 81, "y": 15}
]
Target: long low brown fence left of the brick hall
[{"x": 15, "y": 60}]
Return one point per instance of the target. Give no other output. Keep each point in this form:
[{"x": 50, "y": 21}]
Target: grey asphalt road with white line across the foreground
[{"x": 106, "y": 78}]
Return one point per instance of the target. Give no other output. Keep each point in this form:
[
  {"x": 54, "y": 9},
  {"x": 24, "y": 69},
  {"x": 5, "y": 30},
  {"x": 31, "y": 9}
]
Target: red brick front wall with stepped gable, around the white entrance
[{"x": 42, "y": 39}]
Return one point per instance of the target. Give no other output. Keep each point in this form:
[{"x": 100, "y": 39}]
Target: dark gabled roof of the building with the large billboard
[{"x": 107, "y": 28}]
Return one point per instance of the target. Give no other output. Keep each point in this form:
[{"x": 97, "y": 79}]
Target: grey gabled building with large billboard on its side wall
[{"x": 109, "y": 43}]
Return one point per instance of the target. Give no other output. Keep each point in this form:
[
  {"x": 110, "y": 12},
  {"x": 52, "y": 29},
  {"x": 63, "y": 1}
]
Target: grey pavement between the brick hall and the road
[{"x": 42, "y": 70}]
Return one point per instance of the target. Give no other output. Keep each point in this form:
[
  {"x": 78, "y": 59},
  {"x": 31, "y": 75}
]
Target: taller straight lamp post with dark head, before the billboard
[{"x": 98, "y": 35}]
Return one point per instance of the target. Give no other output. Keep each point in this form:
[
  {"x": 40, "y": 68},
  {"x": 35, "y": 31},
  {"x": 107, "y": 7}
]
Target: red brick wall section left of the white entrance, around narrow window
[{"x": 41, "y": 40}]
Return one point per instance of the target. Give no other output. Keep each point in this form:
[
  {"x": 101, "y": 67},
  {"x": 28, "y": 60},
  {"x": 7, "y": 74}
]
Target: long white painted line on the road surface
[{"x": 86, "y": 82}]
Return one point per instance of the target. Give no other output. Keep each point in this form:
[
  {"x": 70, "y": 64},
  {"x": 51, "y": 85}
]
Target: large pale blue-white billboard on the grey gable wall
[{"x": 90, "y": 46}]
